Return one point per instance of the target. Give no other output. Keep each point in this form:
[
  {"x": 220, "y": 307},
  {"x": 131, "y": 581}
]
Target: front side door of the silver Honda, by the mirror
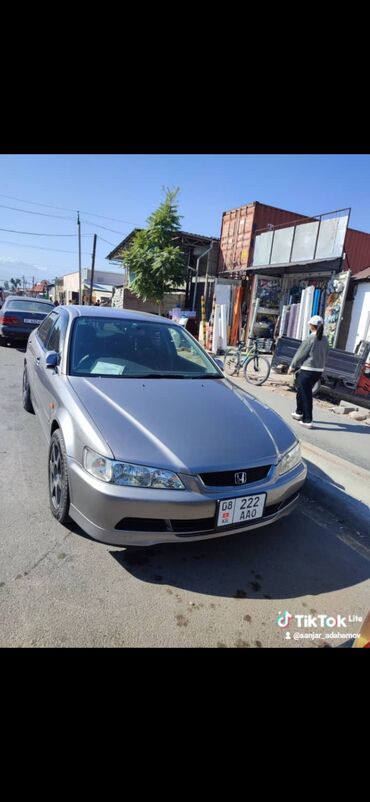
[{"x": 49, "y": 378}]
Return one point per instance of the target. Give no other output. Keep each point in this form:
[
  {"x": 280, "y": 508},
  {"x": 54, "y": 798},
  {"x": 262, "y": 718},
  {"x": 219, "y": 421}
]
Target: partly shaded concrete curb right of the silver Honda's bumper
[{"x": 340, "y": 486}]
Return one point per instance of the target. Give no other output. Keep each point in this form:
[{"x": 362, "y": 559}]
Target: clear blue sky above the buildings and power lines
[{"x": 129, "y": 188}]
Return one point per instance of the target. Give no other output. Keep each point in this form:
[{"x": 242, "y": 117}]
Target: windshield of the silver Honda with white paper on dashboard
[{"x": 127, "y": 349}]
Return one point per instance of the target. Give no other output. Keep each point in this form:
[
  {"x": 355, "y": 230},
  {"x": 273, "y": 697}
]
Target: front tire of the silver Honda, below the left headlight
[{"x": 58, "y": 478}]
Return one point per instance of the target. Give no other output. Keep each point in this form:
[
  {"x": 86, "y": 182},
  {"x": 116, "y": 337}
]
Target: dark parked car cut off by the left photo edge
[{"x": 19, "y": 316}]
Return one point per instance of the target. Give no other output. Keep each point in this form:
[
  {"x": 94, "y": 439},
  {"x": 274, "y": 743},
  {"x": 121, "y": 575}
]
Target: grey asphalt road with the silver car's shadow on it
[{"x": 59, "y": 588}]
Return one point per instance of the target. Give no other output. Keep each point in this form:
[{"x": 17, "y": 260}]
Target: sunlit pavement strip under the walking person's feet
[{"x": 338, "y": 434}]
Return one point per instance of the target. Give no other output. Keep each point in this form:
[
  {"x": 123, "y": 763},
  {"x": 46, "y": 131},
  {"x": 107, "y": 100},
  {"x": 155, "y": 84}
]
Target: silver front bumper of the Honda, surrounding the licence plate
[{"x": 131, "y": 516}]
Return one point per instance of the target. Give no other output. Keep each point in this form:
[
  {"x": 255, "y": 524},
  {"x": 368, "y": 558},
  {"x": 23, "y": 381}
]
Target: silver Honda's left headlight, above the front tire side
[{"x": 128, "y": 474}]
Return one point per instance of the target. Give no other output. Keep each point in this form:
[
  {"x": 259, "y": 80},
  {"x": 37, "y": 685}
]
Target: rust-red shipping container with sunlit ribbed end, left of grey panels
[{"x": 238, "y": 229}]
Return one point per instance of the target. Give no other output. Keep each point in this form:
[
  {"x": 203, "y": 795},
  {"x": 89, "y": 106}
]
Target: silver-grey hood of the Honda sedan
[{"x": 184, "y": 424}]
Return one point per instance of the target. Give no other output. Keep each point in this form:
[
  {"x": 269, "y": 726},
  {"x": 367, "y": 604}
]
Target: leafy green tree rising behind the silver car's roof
[{"x": 154, "y": 262}]
